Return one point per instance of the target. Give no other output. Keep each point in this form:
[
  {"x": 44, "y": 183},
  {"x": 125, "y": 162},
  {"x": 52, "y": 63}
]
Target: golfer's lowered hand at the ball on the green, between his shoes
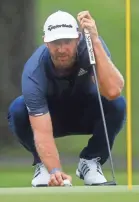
[{"x": 57, "y": 179}]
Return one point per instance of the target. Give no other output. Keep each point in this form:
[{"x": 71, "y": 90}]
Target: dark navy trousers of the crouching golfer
[{"x": 82, "y": 118}]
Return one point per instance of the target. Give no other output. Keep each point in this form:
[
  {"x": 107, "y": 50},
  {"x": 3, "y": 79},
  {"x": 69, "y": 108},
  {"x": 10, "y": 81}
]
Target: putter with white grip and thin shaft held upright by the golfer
[{"x": 93, "y": 63}]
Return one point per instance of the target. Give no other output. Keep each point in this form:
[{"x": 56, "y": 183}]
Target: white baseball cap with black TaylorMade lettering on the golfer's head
[{"x": 60, "y": 25}]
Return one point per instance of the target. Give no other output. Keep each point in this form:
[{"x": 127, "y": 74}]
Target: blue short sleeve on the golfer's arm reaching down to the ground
[{"x": 34, "y": 97}]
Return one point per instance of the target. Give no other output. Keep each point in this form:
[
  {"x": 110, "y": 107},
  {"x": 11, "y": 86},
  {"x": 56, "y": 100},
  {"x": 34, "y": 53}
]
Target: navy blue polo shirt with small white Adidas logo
[{"x": 44, "y": 91}]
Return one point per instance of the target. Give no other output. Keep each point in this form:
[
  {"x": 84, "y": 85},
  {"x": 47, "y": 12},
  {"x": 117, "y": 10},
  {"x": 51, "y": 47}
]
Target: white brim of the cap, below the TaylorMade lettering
[{"x": 53, "y": 38}]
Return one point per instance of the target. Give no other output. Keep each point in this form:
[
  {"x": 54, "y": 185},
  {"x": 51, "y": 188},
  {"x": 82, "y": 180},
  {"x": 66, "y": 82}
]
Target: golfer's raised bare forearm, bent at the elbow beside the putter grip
[{"x": 110, "y": 80}]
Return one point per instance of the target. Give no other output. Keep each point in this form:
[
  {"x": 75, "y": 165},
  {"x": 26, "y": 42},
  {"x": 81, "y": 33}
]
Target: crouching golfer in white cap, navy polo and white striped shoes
[{"x": 59, "y": 98}]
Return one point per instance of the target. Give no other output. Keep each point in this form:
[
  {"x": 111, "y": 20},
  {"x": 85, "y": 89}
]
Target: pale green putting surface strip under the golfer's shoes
[{"x": 101, "y": 194}]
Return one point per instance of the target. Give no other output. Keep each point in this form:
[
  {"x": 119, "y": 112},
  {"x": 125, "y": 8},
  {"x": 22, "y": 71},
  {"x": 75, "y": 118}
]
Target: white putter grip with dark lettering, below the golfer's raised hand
[{"x": 89, "y": 47}]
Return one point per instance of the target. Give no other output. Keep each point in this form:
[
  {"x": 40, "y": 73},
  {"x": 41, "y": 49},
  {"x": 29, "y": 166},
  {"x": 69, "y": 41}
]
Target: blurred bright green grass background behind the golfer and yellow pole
[{"x": 110, "y": 20}]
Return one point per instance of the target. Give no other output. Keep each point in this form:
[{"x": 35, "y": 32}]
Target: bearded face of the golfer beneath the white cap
[{"x": 63, "y": 53}]
